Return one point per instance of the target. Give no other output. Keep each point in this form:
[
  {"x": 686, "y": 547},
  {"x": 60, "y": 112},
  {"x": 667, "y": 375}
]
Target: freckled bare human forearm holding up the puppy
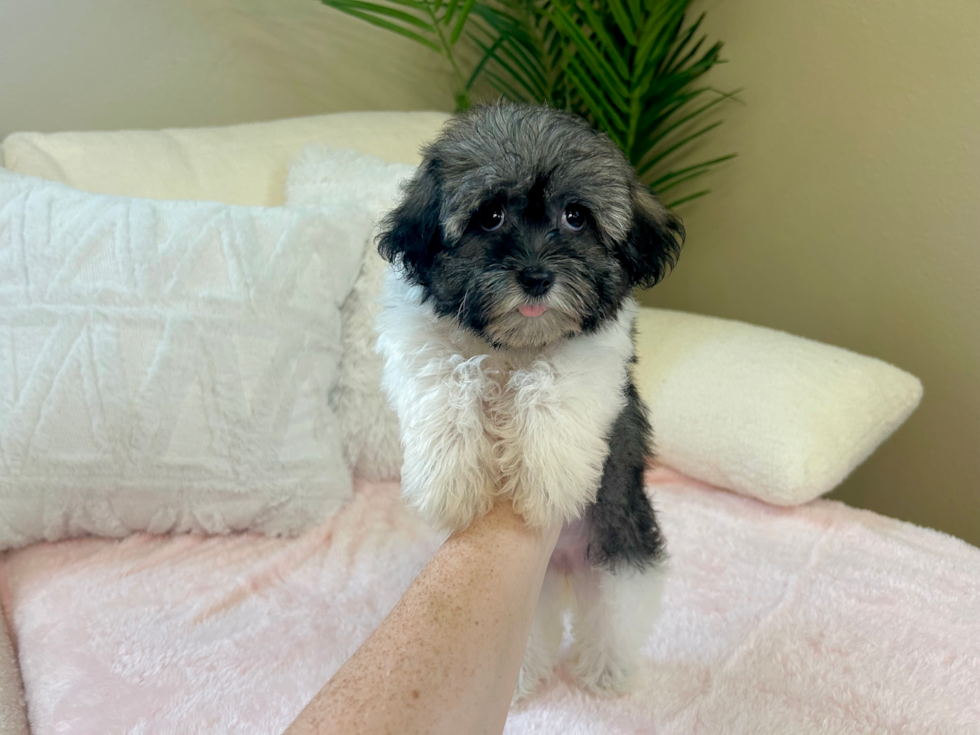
[{"x": 447, "y": 657}]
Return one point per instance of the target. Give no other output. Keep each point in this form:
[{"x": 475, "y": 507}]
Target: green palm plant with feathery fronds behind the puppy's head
[{"x": 630, "y": 67}]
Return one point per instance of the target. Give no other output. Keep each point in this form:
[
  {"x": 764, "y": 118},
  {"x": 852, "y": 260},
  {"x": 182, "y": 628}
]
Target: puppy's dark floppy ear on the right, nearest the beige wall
[{"x": 654, "y": 242}]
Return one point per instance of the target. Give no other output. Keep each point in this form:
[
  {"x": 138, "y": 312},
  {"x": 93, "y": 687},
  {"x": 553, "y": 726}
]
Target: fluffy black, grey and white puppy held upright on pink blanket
[{"x": 507, "y": 342}]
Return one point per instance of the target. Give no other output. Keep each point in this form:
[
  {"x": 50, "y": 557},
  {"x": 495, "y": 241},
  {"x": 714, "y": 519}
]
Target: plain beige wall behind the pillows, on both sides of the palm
[{"x": 852, "y": 215}]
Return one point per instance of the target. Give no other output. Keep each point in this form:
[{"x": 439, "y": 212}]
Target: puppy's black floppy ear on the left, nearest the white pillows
[{"x": 410, "y": 233}]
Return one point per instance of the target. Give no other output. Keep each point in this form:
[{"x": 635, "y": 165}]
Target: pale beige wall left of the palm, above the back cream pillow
[{"x": 109, "y": 64}]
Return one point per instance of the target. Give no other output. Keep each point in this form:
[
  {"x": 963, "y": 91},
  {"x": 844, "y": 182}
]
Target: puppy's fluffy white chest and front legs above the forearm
[{"x": 477, "y": 423}]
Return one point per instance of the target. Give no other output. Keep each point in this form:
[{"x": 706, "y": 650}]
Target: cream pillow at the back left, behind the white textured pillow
[{"x": 238, "y": 164}]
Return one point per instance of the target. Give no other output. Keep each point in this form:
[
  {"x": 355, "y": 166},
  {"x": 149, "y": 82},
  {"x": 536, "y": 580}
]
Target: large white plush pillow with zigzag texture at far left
[{"x": 166, "y": 366}]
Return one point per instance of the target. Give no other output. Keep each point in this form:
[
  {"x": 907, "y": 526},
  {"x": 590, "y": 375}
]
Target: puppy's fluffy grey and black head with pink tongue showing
[{"x": 527, "y": 226}]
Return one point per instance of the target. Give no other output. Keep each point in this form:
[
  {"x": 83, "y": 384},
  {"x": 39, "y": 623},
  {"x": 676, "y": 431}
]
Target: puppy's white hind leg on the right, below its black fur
[{"x": 613, "y": 617}]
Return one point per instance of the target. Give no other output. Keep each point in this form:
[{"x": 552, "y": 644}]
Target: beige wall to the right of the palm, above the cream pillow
[{"x": 852, "y": 216}]
